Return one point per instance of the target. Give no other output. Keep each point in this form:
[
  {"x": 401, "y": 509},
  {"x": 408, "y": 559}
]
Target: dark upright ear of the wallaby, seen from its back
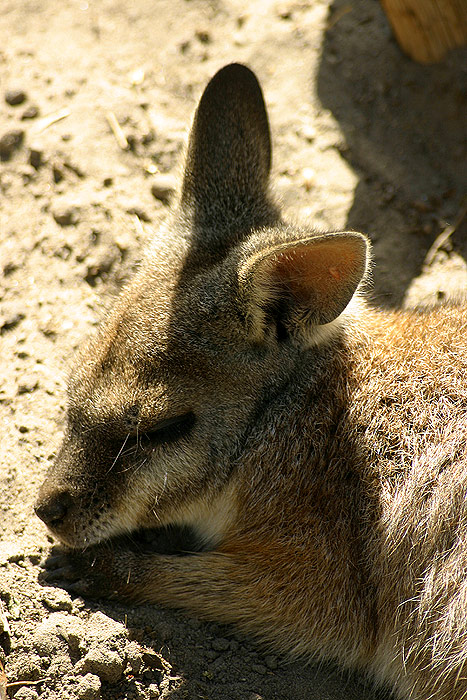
[{"x": 229, "y": 150}]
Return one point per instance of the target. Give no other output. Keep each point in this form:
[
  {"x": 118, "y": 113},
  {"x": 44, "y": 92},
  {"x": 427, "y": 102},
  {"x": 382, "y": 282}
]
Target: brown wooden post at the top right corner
[{"x": 427, "y": 29}]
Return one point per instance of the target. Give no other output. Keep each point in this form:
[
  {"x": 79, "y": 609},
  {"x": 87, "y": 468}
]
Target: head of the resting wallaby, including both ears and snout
[{"x": 227, "y": 300}]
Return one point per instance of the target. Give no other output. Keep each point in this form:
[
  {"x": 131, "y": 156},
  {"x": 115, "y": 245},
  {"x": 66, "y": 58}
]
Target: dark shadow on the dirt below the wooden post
[{"x": 405, "y": 133}]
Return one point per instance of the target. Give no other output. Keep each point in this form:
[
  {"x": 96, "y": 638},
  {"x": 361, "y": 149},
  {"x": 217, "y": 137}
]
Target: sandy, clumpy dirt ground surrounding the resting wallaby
[{"x": 364, "y": 139}]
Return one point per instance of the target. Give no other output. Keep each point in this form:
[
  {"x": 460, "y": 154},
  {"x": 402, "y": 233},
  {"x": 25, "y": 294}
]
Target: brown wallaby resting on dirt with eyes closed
[{"x": 310, "y": 452}]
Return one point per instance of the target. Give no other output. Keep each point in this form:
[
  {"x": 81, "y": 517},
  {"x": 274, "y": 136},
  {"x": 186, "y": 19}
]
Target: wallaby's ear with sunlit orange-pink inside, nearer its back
[{"x": 303, "y": 284}]
